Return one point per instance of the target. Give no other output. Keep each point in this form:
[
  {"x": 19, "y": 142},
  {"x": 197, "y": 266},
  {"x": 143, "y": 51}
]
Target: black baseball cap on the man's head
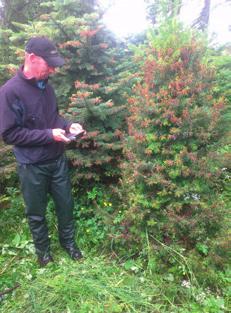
[{"x": 44, "y": 48}]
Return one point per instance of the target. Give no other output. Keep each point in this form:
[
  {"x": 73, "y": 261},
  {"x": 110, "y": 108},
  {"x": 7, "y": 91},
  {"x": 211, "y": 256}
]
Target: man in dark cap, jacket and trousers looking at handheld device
[{"x": 29, "y": 120}]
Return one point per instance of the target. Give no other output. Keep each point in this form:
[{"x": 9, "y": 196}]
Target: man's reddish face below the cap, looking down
[{"x": 40, "y": 69}]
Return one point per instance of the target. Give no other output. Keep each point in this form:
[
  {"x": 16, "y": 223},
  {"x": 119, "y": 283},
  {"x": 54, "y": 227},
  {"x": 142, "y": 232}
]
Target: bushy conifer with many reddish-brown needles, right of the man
[{"x": 175, "y": 126}]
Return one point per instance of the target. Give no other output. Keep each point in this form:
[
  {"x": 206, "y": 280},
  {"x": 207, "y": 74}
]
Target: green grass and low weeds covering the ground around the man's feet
[{"x": 102, "y": 282}]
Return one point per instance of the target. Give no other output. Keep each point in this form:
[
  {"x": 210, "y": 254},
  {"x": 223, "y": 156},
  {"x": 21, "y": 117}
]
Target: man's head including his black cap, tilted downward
[{"x": 41, "y": 58}]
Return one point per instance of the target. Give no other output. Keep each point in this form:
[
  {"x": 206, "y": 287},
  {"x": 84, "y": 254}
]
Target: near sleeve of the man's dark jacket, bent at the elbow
[{"x": 11, "y": 126}]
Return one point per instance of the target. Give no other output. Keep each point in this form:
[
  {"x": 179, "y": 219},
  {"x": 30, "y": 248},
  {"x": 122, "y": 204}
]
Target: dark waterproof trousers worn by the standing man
[{"x": 37, "y": 181}]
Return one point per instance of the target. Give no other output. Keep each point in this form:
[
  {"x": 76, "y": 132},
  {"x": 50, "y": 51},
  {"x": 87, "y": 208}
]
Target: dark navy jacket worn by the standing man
[{"x": 27, "y": 116}]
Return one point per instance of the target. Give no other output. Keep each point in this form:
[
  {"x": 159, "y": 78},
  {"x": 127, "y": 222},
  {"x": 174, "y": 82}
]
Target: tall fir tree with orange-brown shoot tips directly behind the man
[{"x": 92, "y": 58}]
